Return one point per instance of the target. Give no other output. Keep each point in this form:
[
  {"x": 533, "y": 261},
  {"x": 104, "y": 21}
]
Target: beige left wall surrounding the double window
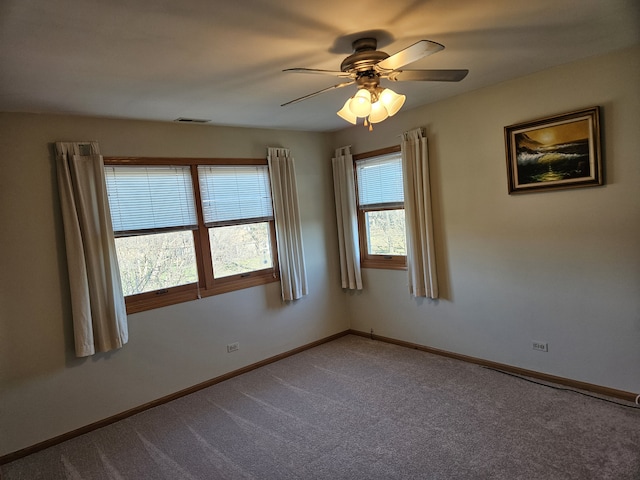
[{"x": 44, "y": 390}]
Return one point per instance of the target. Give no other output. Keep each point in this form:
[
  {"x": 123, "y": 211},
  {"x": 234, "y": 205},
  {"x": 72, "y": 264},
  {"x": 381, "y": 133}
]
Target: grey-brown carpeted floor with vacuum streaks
[{"x": 359, "y": 409}]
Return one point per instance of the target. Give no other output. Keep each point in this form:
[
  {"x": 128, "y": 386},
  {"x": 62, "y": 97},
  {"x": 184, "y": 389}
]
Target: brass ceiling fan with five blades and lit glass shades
[{"x": 366, "y": 66}]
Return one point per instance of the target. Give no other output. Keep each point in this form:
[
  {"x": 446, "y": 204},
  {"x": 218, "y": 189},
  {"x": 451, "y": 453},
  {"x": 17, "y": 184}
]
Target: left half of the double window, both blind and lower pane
[{"x": 153, "y": 214}]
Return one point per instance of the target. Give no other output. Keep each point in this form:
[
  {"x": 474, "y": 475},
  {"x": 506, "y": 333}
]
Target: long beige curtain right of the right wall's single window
[{"x": 421, "y": 258}]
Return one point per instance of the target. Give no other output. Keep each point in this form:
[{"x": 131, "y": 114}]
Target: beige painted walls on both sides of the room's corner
[{"x": 561, "y": 267}]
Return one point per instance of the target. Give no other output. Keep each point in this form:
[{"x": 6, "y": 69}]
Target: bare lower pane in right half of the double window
[{"x": 240, "y": 249}]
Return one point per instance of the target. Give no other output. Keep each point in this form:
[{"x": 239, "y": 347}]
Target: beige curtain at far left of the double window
[{"x": 99, "y": 314}]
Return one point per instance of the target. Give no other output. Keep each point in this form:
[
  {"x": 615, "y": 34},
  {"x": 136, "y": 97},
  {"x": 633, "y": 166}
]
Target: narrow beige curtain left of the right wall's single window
[{"x": 347, "y": 219}]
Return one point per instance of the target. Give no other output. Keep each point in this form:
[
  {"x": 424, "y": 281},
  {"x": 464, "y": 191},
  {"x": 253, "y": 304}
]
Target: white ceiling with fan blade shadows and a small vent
[{"x": 222, "y": 60}]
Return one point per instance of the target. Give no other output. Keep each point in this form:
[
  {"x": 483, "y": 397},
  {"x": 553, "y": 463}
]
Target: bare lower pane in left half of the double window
[{"x": 153, "y": 262}]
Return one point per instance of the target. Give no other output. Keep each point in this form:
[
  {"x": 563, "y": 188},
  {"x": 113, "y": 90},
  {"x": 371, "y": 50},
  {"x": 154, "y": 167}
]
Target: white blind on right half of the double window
[{"x": 235, "y": 194}]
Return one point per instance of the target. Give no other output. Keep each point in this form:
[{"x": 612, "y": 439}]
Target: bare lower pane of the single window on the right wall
[{"x": 385, "y": 232}]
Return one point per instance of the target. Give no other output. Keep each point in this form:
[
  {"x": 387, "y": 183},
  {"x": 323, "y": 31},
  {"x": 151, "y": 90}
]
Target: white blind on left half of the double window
[{"x": 150, "y": 199}]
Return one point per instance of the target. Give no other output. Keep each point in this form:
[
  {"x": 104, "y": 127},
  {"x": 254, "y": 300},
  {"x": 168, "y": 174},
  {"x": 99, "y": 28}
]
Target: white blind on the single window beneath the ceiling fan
[{"x": 380, "y": 181}]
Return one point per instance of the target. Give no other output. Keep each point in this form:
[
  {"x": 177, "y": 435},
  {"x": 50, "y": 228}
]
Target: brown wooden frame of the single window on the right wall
[{"x": 367, "y": 260}]
